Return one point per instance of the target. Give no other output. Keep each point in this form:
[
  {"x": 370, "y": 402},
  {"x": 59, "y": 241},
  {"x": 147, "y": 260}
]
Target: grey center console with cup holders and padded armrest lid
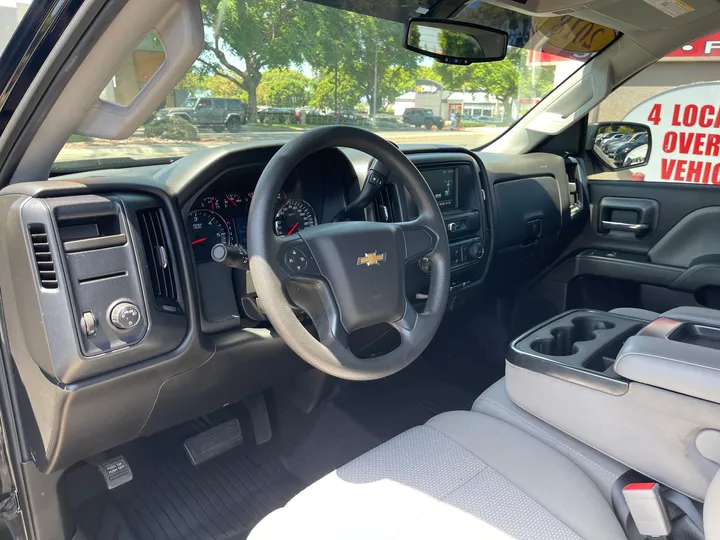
[{"x": 645, "y": 393}]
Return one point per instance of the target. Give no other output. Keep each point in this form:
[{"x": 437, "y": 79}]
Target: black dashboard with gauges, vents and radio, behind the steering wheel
[{"x": 147, "y": 331}]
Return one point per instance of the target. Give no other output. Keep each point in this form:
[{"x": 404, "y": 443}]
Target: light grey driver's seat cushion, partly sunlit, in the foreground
[{"x": 462, "y": 475}]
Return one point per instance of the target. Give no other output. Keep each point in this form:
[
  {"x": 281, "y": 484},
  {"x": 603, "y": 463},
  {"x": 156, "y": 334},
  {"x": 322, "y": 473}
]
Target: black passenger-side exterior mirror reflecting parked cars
[{"x": 620, "y": 145}]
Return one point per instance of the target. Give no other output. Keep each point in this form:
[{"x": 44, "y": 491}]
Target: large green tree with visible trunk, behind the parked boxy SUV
[{"x": 247, "y": 37}]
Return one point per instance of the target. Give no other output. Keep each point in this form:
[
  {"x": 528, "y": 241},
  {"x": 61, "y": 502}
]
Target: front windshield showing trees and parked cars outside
[{"x": 331, "y": 66}]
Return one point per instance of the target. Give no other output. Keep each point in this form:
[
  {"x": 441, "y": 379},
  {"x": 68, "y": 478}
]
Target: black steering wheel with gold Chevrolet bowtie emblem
[{"x": 347, "y": 276}]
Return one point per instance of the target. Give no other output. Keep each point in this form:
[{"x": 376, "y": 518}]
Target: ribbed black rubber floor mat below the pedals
[{"x": 170, "y": 499}]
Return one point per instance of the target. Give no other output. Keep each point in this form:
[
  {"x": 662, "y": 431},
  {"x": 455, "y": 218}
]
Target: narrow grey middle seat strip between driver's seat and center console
[{"x": 601, "y": 469}]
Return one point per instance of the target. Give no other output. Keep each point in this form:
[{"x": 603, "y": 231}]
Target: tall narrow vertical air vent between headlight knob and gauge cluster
[{"x": 157, "y": 253}]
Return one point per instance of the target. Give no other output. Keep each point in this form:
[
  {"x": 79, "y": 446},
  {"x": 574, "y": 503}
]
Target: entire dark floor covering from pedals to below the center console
[{"x": 170, "y": 499}]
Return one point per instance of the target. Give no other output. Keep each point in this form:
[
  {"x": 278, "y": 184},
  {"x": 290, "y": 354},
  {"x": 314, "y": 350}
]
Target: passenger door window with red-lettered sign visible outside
[{"x": 678, "y": 98}]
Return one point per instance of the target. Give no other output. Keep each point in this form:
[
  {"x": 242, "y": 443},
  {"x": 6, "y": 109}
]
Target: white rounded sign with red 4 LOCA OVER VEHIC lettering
[{"x": 685, "y": 128}]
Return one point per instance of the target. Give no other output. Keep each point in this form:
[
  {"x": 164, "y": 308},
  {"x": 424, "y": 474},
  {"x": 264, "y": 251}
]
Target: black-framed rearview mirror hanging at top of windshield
[{"x": 455, "y": 42}]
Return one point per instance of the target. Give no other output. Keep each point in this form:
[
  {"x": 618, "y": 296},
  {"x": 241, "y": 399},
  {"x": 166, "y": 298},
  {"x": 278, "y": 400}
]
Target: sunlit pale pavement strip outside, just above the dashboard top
[{"x": 139, "y": 147}]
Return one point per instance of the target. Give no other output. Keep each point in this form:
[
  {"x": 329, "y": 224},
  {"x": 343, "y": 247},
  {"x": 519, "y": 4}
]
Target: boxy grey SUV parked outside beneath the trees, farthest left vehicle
[{"x": 215, "y": 113}]
